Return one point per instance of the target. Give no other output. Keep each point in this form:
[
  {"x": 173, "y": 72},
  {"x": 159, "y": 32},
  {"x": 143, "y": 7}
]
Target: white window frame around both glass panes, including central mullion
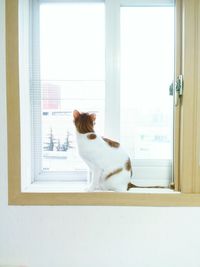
[{"x": 33, "y": 148}]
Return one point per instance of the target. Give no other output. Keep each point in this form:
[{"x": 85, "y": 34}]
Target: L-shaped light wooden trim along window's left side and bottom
[{"x": 16, "y": 197}]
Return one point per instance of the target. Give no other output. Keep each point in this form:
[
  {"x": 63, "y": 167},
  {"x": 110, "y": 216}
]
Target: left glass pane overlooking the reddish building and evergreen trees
[{"x": 72, "y": 75}]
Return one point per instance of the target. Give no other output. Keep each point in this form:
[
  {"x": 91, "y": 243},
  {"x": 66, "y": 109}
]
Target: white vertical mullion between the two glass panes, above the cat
[{"x": 112, "y": 94}]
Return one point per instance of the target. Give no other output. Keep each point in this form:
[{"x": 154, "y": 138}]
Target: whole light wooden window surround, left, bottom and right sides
[{"x": 187, "y": 134}]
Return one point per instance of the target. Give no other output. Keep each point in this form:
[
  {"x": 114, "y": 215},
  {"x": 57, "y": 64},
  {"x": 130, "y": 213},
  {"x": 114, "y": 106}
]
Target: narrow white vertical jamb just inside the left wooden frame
[{"x": 24, "y": 86}]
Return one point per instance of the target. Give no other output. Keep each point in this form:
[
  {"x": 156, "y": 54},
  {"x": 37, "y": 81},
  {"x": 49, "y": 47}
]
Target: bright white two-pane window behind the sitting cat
[{"x": 65, "y": 48}]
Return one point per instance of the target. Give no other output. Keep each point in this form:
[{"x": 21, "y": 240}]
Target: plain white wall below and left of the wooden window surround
[{"x": 91, "y": 236}]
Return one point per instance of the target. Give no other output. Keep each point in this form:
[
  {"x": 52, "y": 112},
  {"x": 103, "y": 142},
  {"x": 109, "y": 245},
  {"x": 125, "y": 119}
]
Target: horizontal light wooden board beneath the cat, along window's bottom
[{"x": 107, "y": 199}]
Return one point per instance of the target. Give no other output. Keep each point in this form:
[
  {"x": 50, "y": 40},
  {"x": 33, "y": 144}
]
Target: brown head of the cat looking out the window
[{"x": 84, "y": 122}]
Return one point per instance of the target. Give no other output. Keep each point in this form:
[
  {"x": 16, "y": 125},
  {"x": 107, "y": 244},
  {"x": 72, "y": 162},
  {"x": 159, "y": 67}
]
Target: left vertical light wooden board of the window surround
[{"x": 12, "y": 89}]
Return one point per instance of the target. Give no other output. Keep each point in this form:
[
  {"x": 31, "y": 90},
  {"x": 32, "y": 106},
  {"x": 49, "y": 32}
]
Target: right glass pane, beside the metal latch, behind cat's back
[{"x": 147, "y": 70}]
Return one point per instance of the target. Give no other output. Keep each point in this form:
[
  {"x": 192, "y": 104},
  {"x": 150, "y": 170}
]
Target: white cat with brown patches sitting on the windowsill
[{"x": 110, "y": 164}]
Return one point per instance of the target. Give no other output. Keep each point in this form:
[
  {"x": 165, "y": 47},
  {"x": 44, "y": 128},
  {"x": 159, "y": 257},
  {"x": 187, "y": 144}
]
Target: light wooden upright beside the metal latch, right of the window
[{"x": 189, "y": 155}]
